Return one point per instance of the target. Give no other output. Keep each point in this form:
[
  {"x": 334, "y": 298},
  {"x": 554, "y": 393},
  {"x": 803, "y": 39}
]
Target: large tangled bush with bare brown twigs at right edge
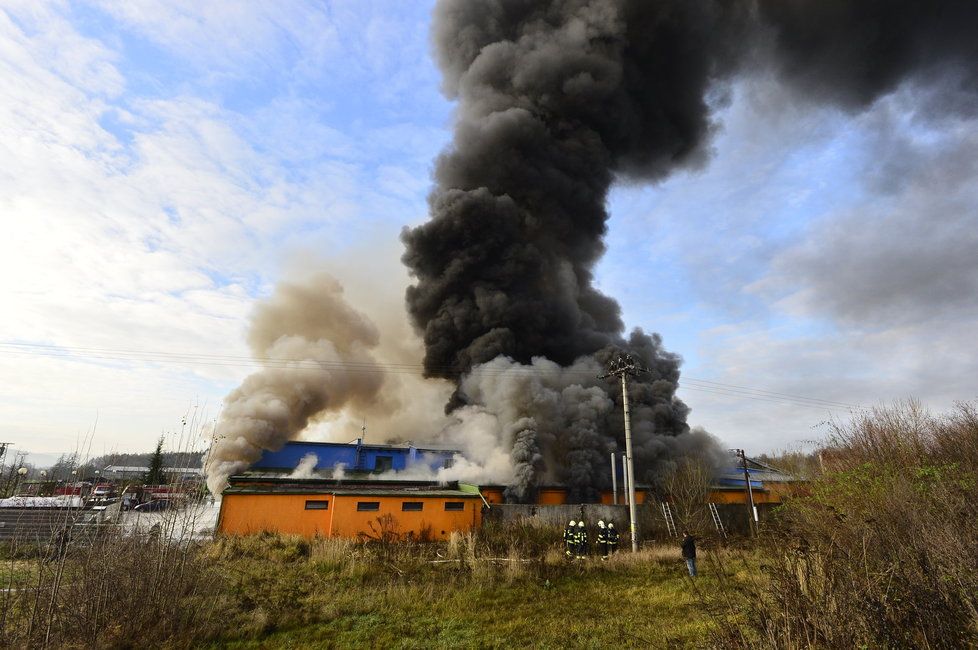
[{"x": 884, "y": 551}]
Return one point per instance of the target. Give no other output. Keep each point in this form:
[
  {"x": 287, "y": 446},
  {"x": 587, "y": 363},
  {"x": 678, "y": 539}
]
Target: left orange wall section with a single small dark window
[{"x": 242, "y": 514}]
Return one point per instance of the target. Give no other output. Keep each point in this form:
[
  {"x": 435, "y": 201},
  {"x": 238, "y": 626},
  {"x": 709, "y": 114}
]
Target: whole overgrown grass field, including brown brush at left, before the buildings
[{"x": 272, "y": 591}]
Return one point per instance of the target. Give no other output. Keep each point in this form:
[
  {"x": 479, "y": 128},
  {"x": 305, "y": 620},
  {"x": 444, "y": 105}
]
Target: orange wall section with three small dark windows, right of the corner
[{"x": 348, "y": 522}]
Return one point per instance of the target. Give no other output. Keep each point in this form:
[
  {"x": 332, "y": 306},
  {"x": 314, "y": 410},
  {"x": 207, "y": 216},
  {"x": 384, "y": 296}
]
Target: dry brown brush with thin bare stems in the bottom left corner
[{"x": 106, "y": 589}]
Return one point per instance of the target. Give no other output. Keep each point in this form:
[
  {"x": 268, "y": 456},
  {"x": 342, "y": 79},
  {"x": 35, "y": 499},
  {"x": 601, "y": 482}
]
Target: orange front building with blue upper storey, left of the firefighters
[{"x": 340, "y": 496}]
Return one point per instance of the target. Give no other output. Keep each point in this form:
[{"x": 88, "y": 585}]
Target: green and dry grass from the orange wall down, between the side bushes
[{"x": 453, "y": 595}]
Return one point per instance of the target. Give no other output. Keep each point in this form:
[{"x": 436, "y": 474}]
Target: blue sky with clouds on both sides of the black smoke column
[{"x": 167, "y": 163}]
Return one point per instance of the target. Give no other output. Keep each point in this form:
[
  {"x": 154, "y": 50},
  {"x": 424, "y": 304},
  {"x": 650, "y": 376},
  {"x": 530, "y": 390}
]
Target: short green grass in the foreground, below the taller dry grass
[{"x": 645, "y": 603}]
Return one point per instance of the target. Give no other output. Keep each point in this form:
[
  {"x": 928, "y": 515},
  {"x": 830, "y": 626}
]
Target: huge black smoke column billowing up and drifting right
[{"x": 557, "y": 100}]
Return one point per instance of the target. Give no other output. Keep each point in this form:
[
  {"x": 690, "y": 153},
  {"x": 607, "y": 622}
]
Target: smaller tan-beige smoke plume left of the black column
[{"x": 317, "y": 353}]
